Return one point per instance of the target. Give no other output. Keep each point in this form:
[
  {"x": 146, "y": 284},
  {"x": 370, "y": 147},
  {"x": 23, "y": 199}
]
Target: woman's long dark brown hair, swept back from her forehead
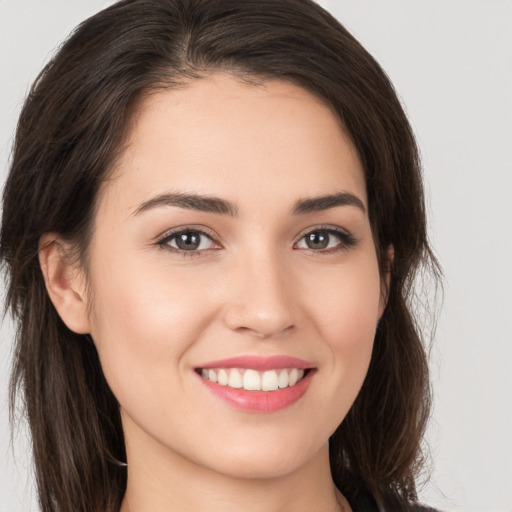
[{"x": 71, "y": 130}]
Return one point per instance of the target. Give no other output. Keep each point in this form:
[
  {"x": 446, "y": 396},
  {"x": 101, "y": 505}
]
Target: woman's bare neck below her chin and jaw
[{"x": 163, "y": 481}]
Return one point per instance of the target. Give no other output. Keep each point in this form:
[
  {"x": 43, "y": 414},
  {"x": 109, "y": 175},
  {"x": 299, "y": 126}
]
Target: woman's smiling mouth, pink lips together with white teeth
[{"x": 258, "y": 384}]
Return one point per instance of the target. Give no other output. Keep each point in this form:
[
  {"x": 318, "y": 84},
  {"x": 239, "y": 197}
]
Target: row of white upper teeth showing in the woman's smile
[{"x": 253, "y": 380}]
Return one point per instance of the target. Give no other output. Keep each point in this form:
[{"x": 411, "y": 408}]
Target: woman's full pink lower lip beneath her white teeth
[{"x": 261, "y": 401}]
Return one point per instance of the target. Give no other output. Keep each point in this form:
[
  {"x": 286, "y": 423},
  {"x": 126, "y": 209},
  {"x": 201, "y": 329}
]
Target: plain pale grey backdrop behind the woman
[{"x": 451, "y": 64}]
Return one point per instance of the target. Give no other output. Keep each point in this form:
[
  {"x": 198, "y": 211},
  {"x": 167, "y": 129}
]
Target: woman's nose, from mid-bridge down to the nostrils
[{"x": 260, "y": 298}]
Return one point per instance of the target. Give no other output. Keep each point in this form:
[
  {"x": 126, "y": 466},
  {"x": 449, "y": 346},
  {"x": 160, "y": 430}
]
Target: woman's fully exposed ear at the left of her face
[{"x": 65, "y": 282}]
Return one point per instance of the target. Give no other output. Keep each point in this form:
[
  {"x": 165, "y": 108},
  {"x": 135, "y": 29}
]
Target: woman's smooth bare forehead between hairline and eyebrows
[{"x": 221, "y": 136}]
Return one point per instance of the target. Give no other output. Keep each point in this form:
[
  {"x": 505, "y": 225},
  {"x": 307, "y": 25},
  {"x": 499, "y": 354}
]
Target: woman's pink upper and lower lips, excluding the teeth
[{"x": 261, "y": 401}]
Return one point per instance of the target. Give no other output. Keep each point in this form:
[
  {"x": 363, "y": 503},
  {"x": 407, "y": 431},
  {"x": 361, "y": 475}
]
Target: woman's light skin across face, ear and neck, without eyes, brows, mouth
[{"x": 254, "y": 288}]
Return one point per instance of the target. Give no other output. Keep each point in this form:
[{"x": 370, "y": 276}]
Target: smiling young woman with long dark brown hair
[{"x": 222, "y": 219}]
